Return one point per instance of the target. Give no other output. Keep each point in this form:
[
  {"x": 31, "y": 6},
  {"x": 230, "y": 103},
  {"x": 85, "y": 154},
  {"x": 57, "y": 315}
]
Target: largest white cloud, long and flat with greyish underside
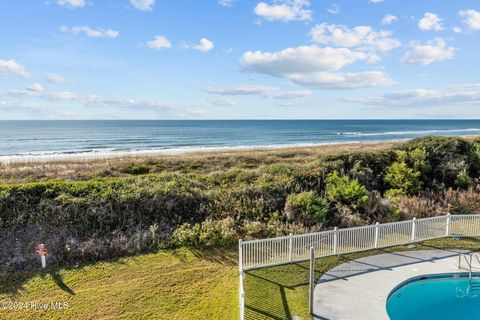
[{"x": 314, "y": 66}]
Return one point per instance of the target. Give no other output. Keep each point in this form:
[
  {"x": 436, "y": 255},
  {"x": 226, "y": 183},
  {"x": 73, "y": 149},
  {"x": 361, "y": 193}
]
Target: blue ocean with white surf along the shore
[{"x": 30, "y": 138}]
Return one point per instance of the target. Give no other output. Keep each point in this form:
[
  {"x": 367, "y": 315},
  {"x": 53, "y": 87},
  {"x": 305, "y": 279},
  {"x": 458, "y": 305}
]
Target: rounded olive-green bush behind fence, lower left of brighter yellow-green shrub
[{"x": 307, "y": 207}]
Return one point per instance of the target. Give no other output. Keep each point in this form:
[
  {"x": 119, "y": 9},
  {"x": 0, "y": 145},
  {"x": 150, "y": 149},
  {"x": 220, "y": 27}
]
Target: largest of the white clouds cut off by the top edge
[{"x": 284, "y": 10}]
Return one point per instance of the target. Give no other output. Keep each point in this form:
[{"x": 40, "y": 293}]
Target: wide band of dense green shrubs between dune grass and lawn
[{"x": 146, "y": 206}]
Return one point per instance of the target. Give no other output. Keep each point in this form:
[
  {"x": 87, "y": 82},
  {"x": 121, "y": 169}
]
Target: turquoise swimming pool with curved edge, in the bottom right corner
[{"x": 439, "y": 297}]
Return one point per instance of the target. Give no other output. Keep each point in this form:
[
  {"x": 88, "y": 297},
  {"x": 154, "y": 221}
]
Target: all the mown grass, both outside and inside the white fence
[{"x": 178, "y": 284}]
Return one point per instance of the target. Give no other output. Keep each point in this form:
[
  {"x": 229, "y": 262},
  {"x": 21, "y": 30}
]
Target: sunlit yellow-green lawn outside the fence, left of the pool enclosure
[{"x": 177, "y": 284}]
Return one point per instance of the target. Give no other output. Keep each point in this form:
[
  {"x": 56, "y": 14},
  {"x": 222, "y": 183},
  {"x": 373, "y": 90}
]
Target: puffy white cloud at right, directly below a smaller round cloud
[{"x": 429, "y": 52}]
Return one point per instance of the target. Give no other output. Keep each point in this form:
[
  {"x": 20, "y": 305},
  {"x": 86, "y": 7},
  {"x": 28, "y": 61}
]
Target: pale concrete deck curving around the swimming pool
[{"x": 358, "y": 289}]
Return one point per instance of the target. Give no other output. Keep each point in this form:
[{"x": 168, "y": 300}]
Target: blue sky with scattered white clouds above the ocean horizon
[{"x": 239, "y": 59}]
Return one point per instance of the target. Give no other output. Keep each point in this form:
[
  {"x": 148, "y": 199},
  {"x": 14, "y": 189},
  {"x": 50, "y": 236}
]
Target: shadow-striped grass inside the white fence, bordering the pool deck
[{"x": 282, "y": 292}]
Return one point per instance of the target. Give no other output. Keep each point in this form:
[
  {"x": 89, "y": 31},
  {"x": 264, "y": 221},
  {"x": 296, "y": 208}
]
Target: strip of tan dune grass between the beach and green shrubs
[{"x": 198, "y": 162}]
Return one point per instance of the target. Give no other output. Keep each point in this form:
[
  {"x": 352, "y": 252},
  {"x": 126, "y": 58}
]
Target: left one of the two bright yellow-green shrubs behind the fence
[{"x": 345, "y": 190}]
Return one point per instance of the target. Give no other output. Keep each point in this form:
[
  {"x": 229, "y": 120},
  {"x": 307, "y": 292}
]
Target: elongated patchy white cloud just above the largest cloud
[{"x": 361, "y": 37}]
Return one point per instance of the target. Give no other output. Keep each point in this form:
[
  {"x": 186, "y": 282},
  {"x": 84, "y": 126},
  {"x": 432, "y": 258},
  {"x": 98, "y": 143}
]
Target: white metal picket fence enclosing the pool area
[{"x": 255, "y": 254}]
